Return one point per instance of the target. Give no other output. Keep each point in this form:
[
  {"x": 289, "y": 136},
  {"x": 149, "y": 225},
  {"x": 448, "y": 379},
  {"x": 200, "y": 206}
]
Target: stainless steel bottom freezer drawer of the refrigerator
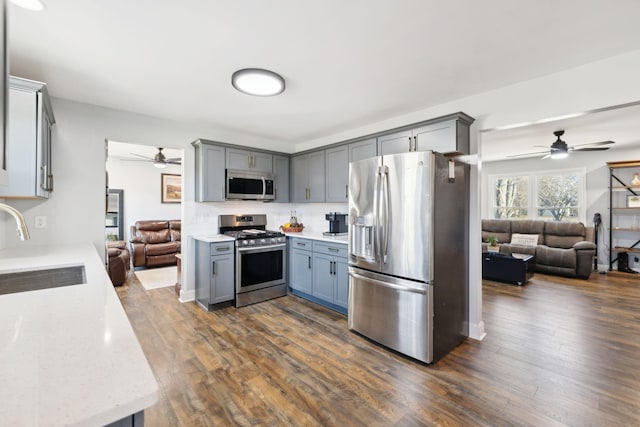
[{"x": 394, "y": 312}]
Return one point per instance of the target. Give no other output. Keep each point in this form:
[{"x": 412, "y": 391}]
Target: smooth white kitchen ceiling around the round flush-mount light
[{"x": 346, "y": 63}]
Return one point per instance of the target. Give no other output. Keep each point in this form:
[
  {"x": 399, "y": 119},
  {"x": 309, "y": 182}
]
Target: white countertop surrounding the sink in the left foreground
[{"x": 68, "y": 355}]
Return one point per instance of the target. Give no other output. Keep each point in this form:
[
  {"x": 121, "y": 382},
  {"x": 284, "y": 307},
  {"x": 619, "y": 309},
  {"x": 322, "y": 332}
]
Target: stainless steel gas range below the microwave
[{"x": 261, "y": 258}]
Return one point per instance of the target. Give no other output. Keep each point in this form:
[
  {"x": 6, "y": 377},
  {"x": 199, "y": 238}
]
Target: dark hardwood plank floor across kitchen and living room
[{"x": 557, "y": 352}]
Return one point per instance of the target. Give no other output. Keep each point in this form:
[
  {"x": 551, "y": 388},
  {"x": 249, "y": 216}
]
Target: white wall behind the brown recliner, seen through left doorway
[{"x": 142, "y": 195}]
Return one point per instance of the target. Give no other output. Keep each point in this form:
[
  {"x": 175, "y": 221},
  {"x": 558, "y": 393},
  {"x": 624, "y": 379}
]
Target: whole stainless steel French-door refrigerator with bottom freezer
[{"x": 408, "y": 252}]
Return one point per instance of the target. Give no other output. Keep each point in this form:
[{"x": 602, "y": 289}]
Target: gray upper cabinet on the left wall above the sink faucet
[{"x": 29, "y": 141}]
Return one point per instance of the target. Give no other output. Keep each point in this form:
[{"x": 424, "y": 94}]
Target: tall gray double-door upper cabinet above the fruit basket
[{"x": 307, "y": 173}]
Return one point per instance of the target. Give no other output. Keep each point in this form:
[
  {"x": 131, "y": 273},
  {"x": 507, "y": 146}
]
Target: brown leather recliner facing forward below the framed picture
[{"x": 155, "y": 243}]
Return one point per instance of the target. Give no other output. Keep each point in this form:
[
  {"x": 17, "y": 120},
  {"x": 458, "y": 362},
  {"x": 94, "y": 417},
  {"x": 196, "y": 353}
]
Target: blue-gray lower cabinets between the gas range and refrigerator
[{"x": 318, "y": 272}]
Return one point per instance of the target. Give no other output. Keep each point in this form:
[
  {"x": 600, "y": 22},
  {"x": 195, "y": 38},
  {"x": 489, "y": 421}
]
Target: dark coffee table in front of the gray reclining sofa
[{"x": 508, "y": 268}]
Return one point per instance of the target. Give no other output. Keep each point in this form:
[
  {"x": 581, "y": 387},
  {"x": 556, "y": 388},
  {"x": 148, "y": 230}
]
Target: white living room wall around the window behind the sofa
[{"x": 597, "y": 185}]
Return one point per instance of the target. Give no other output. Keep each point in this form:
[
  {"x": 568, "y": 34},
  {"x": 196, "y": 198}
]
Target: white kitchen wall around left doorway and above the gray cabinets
[{"x": 76, "y": 210}]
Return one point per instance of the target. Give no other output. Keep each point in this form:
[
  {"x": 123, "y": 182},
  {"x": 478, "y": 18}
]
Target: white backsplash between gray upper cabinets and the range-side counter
[{"x": 310, "y": 214}]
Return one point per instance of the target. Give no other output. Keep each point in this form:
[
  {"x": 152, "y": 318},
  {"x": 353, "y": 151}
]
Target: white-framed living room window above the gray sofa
[{"x": 557, "y": 195}]
